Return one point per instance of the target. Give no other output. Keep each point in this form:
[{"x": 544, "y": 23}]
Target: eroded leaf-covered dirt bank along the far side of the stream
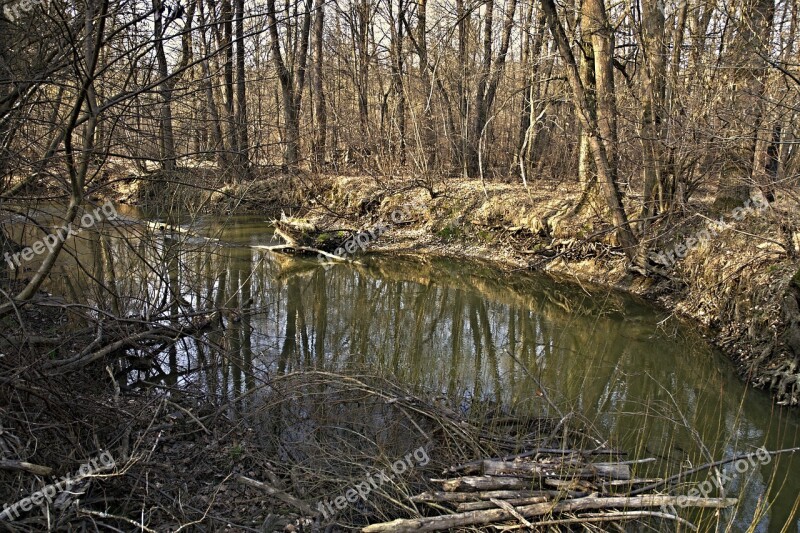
[{"x": 741, "y": 279}]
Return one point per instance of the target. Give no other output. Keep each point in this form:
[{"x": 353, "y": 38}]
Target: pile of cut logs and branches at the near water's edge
[{"x": 542, "y": 488}]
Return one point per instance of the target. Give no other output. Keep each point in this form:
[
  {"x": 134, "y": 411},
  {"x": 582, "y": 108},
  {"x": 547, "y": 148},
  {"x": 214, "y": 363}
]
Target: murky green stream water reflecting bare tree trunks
[{"x": 649, "y": 382}]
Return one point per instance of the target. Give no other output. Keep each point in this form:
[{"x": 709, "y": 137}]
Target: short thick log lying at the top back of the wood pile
[{"x": 553, "y": 470}]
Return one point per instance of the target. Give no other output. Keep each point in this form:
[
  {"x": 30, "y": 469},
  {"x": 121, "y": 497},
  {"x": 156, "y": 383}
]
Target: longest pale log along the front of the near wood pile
[{"x": 471, "y": 518}]
